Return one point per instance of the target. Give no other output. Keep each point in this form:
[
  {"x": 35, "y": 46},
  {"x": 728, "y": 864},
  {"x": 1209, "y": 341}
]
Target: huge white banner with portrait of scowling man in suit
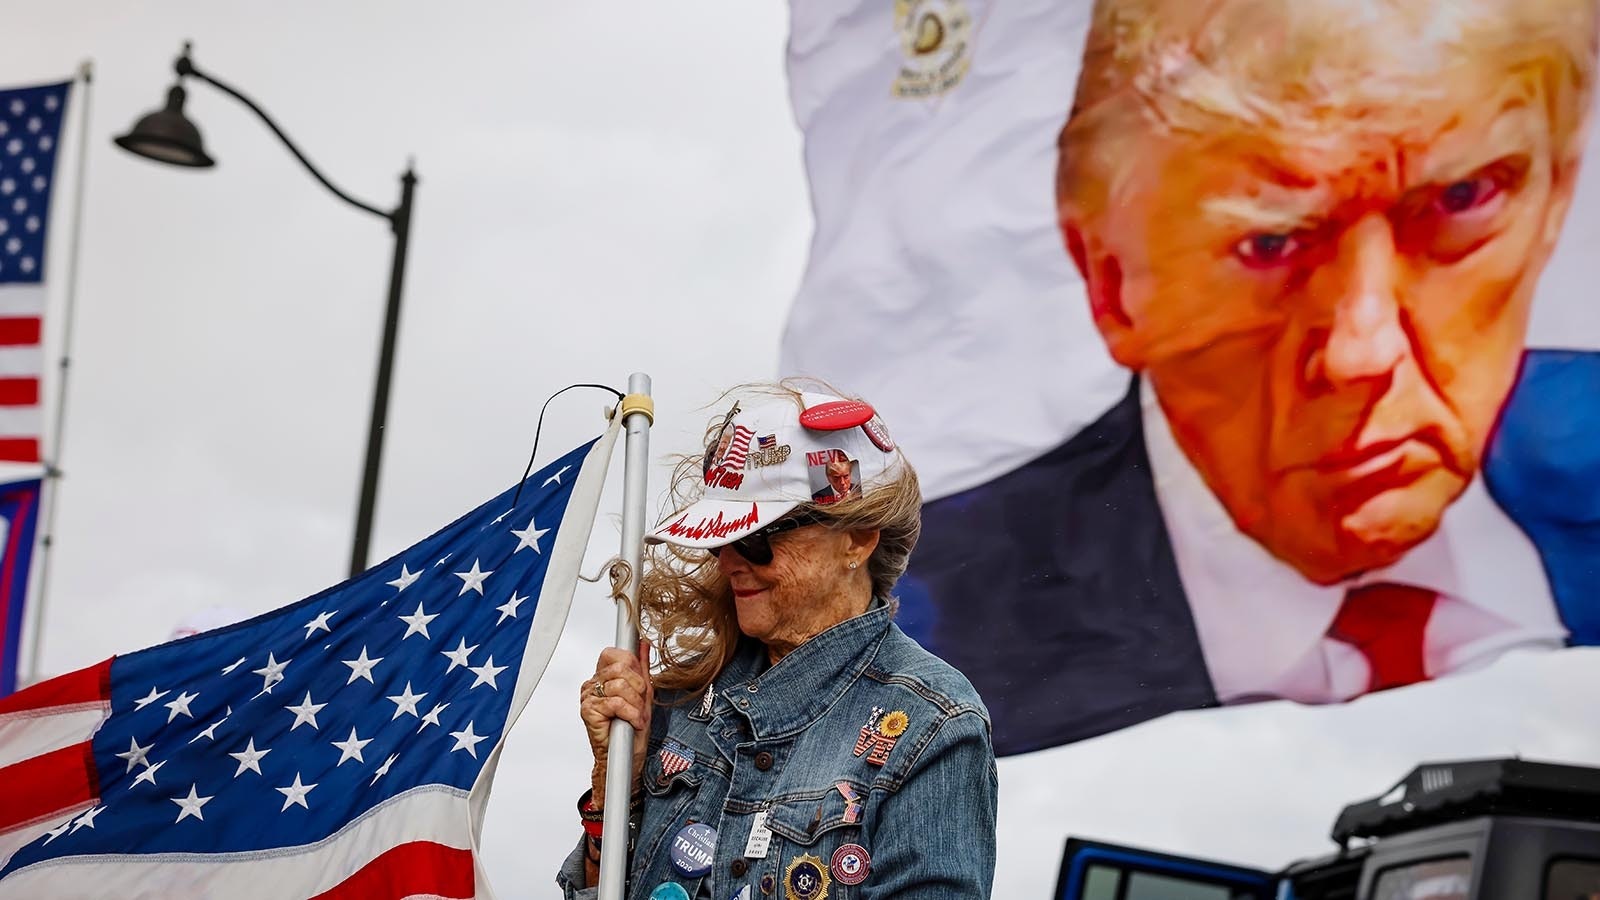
[{"x": 1247, "y": 350}]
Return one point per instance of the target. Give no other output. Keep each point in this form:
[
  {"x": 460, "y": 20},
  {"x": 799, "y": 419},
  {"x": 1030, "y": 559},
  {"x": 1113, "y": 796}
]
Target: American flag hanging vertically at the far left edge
[{"x": 30, "y": 139}]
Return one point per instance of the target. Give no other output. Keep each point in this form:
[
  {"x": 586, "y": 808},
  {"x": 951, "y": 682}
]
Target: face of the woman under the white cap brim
[{"x": 806, "y": 590}]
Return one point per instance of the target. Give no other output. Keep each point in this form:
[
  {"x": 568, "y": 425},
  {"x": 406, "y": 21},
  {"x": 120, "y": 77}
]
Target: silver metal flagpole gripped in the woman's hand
[{"x": 638, "y": 417}]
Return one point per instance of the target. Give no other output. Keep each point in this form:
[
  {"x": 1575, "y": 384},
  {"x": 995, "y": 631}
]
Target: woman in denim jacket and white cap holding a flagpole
[{"x": 799, "y": 744}]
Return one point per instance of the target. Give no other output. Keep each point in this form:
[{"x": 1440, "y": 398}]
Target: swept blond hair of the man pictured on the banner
[{"x": 1306, "y": 68}]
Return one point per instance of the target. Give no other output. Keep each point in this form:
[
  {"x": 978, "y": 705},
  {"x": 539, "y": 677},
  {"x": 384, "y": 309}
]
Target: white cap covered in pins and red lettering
[{"x": 767, "y": 457}]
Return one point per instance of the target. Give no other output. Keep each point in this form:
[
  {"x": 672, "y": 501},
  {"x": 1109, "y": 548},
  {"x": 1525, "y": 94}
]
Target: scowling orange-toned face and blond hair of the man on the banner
[{"x": 1318, "y": 228}]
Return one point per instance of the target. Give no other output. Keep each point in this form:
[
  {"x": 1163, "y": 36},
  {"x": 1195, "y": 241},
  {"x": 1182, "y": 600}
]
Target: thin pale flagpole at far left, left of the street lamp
[{"x": 58, "y": 427}]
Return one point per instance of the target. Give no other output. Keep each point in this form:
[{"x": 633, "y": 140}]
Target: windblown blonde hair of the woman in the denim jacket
[{"x": 686, "y": 601}]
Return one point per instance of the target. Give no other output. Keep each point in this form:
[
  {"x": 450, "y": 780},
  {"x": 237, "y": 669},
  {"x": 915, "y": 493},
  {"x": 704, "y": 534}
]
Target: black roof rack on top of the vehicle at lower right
[{"x": 1447, "y": 792}]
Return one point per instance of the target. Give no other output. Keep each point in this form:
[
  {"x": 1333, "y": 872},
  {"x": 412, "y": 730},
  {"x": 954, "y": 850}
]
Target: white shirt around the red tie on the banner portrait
[{"x": 1265, "y": 629}]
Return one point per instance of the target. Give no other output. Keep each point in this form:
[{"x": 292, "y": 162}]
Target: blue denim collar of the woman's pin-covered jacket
[{"x": 796, "y": 693}]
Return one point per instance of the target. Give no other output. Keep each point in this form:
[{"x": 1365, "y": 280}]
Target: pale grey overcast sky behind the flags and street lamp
[{"x": 604, "y": 190}]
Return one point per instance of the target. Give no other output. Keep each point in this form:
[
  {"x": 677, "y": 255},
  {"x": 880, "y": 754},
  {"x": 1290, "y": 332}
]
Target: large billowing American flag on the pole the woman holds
[{"x": 340, "y": 747}]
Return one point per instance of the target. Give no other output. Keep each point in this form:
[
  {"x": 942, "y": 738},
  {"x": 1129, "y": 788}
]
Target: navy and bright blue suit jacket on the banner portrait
[{"x": 1055, "y": 587}]
